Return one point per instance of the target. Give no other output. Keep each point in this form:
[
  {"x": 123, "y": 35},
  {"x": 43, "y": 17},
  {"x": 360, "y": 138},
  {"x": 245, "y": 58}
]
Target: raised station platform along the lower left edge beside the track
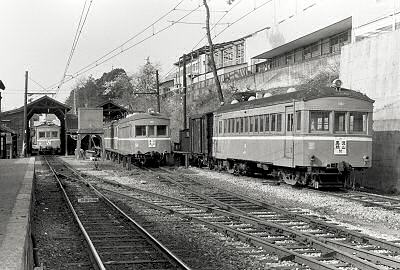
[{"x": 16, "y": 184}]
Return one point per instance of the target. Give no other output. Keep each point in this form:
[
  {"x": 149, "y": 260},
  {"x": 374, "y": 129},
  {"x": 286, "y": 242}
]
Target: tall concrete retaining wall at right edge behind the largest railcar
[{"x": 372, "y": 66}]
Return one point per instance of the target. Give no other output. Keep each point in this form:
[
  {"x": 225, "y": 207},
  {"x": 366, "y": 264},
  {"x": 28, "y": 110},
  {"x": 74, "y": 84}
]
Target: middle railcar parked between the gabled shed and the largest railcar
[{"x": 142, "y": 136}]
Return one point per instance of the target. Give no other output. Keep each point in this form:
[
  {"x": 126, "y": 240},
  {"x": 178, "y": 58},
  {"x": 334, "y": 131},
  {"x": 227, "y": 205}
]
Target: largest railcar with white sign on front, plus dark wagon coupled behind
[{"x": 309, "y": 137}]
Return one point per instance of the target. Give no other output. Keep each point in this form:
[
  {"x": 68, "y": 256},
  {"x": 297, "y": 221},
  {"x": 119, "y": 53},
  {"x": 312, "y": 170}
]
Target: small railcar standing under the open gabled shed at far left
[{"x": 46, "y": 139}]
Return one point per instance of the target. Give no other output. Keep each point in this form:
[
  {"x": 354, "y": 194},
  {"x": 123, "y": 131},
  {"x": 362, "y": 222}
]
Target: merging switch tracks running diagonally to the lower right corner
[{"x": 305, "y": 240}]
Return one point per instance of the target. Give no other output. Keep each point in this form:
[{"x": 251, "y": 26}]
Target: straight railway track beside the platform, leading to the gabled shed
[{"x": 115, "y": 240}]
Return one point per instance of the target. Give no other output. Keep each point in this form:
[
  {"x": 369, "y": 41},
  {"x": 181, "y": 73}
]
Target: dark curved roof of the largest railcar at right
[{"x": 299, "y": 95}]
